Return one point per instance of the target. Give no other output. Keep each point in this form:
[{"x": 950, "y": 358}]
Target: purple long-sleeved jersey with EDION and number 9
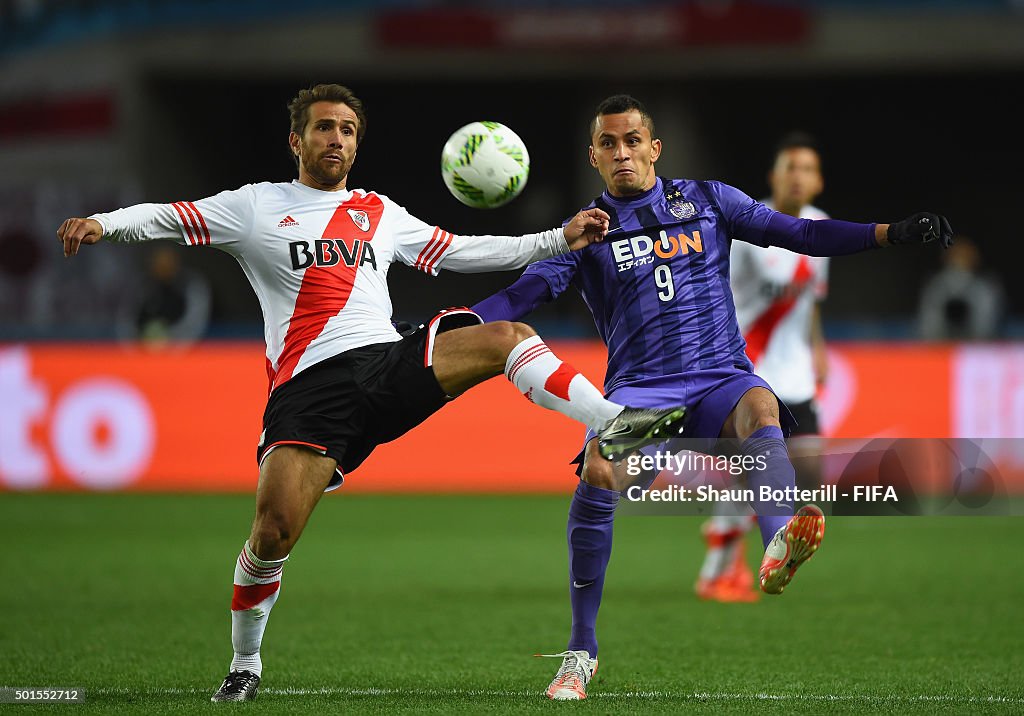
[{"x": 659, "y": 285}]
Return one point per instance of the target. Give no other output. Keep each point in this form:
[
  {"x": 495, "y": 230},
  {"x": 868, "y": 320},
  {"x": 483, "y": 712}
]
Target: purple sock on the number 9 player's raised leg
[{"x": 774, "y": 470}]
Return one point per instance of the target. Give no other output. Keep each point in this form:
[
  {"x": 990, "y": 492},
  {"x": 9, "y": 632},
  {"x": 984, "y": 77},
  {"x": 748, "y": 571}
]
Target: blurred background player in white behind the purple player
[{"x": 778, "y": 294}]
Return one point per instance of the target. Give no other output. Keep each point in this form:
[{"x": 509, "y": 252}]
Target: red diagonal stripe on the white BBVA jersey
[{"x": 325, "y": 290}]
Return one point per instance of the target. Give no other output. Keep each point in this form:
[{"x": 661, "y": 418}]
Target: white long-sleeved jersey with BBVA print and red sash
[{"x": 319, "y": 261}]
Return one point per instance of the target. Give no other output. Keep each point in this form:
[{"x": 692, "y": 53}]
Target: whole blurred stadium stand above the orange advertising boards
[{"x": 107, "y": 104}]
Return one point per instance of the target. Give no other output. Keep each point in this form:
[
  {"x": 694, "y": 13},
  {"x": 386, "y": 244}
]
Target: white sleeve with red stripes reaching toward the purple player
[{"x": 431, "y": 248}]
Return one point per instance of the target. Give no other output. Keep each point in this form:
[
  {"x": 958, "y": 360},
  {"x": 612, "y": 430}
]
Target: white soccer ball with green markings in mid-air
[{"x": 485, "y": 165}]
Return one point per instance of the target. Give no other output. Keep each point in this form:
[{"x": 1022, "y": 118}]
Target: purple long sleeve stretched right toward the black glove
[{"x": 754, "y": 223}]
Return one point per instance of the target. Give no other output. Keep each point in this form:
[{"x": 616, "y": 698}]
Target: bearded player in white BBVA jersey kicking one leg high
[{"x": 342, "y": 380}]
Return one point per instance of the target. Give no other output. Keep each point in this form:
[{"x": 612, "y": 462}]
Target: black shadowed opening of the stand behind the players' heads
[{"x": 892, "y": 145}]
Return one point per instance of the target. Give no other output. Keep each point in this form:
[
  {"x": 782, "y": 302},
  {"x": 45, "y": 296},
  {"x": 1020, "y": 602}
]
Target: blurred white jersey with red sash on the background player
[{"x": 775, "y": 291}]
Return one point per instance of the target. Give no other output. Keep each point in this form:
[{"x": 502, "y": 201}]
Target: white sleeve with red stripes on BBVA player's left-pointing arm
[{"x": 222, "y": 221}]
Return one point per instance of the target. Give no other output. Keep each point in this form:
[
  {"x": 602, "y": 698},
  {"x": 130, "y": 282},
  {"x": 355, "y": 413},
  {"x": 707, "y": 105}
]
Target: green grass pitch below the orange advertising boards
[{"x": 436, "y": 605}]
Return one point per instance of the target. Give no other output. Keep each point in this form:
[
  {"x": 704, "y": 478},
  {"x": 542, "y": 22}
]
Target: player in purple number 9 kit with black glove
[{"x": 659, "y": 290}]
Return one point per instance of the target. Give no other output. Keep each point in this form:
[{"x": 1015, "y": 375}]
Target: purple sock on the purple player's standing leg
[{"x": 589, "y": 532}]
